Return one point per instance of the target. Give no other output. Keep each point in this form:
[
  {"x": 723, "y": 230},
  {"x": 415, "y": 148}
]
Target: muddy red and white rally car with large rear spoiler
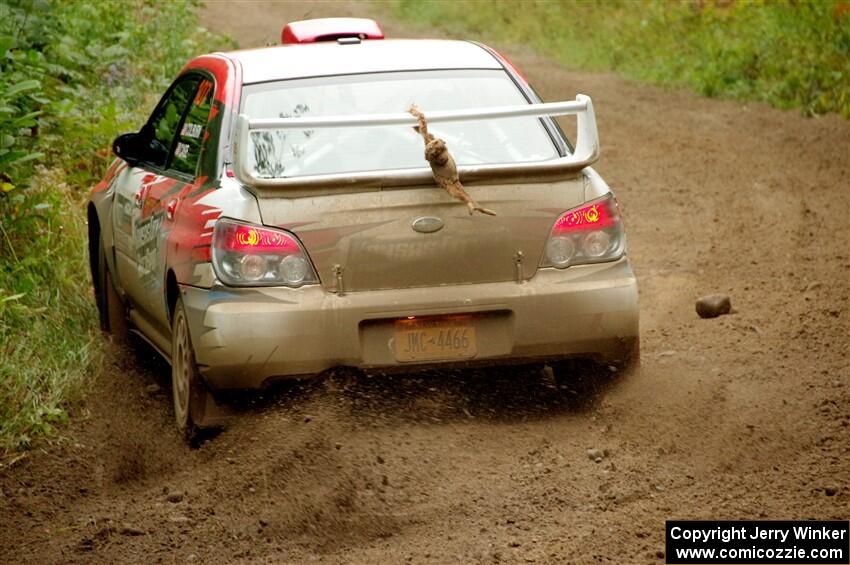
[{"x": 275, "y": 218}]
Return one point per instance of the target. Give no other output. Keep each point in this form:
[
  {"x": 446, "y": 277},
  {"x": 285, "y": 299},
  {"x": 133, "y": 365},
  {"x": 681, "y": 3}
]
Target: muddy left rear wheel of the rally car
[{"x": 190, "y": 394}]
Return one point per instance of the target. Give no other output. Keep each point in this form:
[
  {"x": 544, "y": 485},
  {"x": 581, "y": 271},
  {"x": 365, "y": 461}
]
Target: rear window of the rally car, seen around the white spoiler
[{"x": 290, "y": 153}]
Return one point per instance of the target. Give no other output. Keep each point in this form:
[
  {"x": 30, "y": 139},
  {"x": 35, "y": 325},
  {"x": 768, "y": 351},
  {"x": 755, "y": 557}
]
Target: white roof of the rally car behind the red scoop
[{"x": 331, "y": 58}]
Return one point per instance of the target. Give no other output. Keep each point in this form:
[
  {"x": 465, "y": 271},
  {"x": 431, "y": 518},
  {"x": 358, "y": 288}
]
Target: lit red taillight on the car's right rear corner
[{"x": 590, "y": 234}]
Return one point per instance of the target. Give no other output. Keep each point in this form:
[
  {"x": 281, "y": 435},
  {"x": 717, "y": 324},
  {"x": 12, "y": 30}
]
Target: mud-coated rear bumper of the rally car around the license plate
[{"x": 246, "y": 337}]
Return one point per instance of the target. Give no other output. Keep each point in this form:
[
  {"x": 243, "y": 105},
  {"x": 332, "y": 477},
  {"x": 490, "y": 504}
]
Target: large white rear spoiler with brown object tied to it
[{"x": 586, "y": 150}]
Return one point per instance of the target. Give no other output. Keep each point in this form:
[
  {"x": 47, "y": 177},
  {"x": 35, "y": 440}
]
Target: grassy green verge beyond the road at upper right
[{"x": 785, "y": 52}]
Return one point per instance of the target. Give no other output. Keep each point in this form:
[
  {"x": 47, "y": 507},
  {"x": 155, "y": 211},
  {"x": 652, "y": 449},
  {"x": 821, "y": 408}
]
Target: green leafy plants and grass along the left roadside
[{"x": 73, "y": 75}]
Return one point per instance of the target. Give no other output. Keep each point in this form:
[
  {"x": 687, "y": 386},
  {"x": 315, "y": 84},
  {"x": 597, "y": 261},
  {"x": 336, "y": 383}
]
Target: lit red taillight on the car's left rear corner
[{"x": 249, "y": 255}]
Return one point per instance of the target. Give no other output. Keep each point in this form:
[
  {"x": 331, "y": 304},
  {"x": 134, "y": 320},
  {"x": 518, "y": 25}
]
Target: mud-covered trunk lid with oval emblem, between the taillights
[{"x": 370, "y": 235}]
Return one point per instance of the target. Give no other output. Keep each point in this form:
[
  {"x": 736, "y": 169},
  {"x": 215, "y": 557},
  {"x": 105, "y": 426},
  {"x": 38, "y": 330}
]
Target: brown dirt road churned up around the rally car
[{"x": 743, "y": 416}]
